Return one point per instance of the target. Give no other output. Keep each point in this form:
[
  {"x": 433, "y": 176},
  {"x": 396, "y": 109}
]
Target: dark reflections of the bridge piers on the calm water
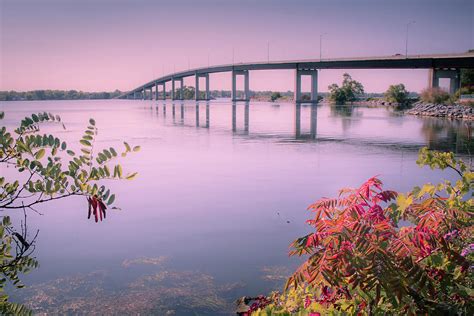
[{"x": 299, "y": 132}]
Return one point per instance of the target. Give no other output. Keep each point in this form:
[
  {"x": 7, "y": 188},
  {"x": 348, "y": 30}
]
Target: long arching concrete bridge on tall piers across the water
[{"x": 440, "y": 66}]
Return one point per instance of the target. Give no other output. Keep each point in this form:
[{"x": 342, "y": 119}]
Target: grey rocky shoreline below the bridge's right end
[{"x": 455, "y": 111}]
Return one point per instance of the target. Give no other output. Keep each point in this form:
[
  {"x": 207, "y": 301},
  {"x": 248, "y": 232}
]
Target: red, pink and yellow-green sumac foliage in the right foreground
[{"x": 375, "y": 251}]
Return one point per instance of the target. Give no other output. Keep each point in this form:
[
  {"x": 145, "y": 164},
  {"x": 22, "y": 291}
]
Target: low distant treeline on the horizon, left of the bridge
[{"x": 56, "y": 95}]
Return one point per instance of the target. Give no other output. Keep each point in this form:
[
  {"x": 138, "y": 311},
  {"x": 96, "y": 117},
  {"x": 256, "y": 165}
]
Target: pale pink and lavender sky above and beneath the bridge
[{"x": 106, "y": 45}]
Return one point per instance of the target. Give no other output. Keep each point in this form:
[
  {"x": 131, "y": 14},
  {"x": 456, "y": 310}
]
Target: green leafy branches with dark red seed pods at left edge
[{"x": 43, "y": 173}]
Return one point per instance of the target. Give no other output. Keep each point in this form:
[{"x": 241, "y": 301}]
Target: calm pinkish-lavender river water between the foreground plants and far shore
[{"x": 222, "y": 191}]
